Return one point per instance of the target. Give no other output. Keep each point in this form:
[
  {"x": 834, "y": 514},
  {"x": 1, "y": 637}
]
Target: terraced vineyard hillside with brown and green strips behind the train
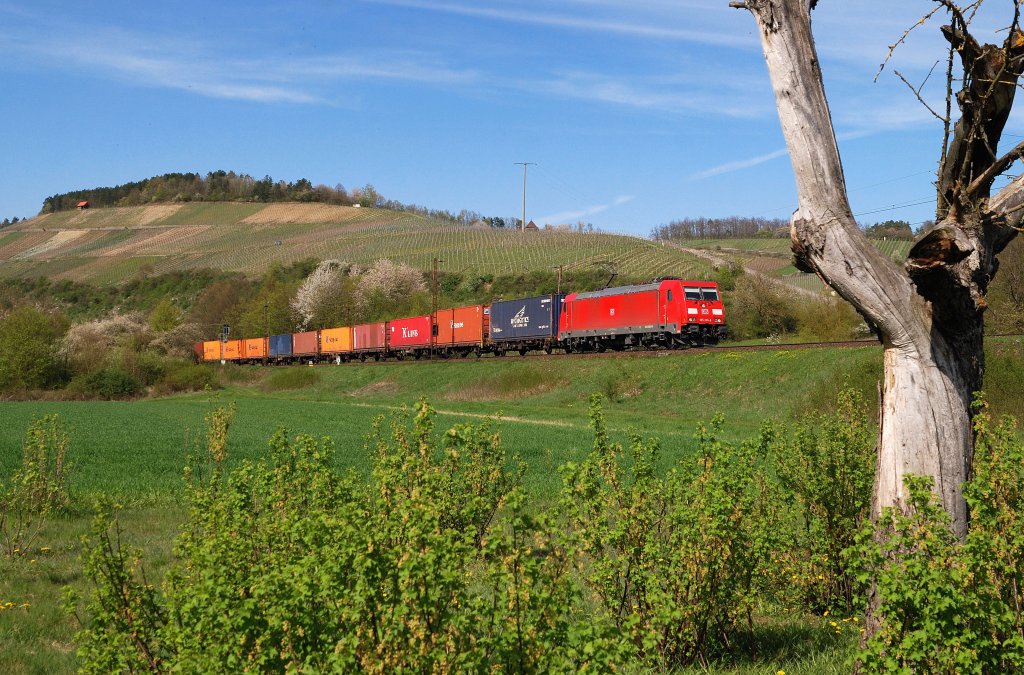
[{"x": 110, "y": 245}]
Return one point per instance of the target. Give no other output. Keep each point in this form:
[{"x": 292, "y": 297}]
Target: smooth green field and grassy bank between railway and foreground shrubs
[{"x": 138, "y": 449}]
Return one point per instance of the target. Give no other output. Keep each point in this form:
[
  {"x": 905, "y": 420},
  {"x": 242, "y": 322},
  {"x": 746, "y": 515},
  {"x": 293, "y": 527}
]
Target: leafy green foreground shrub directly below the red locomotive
[{"x": 672, "y": 562}]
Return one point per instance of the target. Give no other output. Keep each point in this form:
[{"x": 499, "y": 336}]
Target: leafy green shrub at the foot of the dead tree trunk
[{"x": 947, "y": 607}]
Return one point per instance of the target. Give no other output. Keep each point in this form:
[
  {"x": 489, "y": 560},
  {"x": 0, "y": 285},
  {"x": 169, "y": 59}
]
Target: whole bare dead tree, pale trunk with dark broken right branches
[{"x": 930, "y": 313}]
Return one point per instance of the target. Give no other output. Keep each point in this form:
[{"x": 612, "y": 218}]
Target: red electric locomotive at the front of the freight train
[{"x": 670, "y": 314}]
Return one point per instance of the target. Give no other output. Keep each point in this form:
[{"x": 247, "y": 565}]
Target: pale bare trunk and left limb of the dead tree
[{"x": 933, "y": 347}]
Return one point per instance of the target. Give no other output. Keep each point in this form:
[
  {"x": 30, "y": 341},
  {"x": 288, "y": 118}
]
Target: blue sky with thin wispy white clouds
[{"x": 636, "y": 114}]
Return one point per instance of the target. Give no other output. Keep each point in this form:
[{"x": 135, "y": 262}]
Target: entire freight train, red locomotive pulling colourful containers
[{"x": 667, "y": 314}]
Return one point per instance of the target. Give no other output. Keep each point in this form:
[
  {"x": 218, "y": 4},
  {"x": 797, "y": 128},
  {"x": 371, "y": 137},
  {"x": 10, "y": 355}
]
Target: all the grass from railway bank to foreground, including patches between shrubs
[{"x": 137, "y": 450}]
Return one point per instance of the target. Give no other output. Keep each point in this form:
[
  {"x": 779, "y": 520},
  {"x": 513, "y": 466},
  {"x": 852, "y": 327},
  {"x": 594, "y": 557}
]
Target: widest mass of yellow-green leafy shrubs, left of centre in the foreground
[{"x": 287, "y": 566}]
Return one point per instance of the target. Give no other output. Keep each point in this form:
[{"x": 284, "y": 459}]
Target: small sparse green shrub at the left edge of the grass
[{"x": 38, "y": 490}]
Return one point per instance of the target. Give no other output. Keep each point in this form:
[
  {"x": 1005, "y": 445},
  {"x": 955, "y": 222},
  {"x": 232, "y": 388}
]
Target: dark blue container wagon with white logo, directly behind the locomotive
[{"x": 526, "y": 324}]
